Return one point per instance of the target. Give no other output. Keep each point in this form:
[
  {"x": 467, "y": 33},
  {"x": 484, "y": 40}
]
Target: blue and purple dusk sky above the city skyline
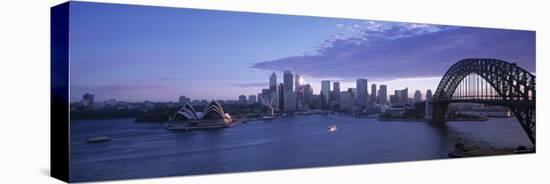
[{"x": 138, "y": 54}]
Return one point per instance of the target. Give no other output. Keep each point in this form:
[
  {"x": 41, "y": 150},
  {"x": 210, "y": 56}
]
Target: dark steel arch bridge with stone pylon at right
[{"x": 492, "y": 82}]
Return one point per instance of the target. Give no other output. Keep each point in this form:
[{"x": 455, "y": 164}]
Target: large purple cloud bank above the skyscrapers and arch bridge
[{"x": 383, "y": 51}]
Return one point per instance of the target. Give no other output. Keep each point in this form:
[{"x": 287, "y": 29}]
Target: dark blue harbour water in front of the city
[{"x": 148, "y": 150}]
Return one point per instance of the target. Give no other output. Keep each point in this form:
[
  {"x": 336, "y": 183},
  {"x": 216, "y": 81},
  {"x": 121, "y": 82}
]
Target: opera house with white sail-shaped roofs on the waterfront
[{"x": 213, "y": 116}]
